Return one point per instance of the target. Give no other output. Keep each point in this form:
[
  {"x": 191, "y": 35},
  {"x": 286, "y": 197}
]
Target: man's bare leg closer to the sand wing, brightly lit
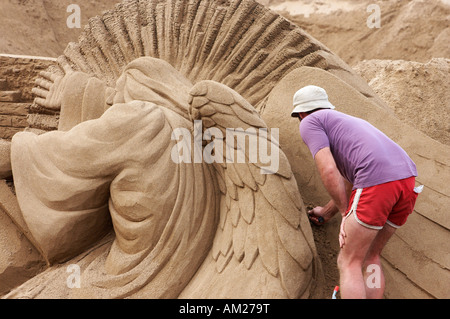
[{"x": 358, "y": 241}]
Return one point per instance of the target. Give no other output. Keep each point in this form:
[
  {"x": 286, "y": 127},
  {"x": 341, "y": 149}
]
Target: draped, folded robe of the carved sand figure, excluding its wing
[{"x": 70, "y": 181}]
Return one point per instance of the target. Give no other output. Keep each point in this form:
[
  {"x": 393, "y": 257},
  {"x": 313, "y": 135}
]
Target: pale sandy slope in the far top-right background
[{"x": 410, "y": 30}]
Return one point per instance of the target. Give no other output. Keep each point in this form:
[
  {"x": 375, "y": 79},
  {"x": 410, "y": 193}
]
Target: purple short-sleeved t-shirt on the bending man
[{"x": 363, "y": 154}]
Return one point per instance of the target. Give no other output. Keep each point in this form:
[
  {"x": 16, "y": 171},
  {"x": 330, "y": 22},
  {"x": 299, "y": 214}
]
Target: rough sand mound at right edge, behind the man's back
[{"x": 419, "y": 93}]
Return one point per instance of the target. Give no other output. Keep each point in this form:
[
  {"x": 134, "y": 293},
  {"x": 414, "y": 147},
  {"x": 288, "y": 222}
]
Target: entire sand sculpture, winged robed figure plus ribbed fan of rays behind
[{"x": 232, "y": 231}]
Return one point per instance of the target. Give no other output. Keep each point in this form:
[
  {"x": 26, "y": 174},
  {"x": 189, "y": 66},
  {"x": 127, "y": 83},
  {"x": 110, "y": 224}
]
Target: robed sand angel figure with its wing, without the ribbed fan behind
[{"x": 164, "y": 214}]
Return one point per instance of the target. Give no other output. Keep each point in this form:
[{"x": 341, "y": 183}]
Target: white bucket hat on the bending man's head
[{"x": 309, "y": 98}]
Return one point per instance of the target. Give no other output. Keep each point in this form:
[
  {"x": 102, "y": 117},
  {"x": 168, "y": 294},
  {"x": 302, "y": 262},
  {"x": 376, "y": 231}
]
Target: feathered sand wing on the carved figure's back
[{"x": 261, "y": 211}]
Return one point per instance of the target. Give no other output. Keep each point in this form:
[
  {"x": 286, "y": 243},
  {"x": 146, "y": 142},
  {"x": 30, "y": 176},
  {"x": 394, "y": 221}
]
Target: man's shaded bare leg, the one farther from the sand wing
[{"x": 373, "y": 260}]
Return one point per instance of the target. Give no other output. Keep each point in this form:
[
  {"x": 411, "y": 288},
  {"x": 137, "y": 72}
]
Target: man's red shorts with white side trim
[{"x": 389, "y": 203}]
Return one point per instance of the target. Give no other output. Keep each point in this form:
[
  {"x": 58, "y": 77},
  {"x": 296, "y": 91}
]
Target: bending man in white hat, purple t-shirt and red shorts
[{"x": 370, "y": 180}]
